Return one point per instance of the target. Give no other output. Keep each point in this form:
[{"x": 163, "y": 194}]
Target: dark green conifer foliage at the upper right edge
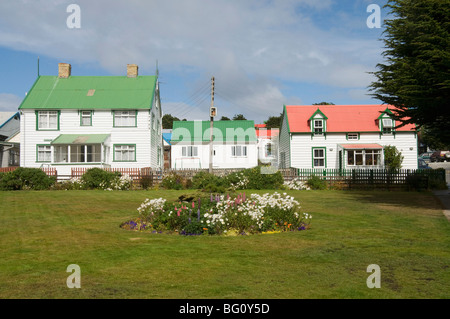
[{"x": 415, "y": 75}]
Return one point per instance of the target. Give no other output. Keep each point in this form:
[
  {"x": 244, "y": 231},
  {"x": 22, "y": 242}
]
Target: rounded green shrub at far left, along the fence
[{"x": 26, "y": 178}]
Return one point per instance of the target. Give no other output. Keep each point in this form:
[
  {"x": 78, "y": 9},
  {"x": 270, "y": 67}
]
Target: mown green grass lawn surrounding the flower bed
[{"x": 42, "y": 232}]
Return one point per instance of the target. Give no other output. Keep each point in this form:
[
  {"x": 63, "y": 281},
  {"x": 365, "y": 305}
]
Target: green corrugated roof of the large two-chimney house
[{"x": 107, "y": 92}]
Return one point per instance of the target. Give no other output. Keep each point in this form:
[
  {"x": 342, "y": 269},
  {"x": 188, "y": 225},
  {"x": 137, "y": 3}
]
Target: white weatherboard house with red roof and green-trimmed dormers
[{"x": 343, "y": 137}]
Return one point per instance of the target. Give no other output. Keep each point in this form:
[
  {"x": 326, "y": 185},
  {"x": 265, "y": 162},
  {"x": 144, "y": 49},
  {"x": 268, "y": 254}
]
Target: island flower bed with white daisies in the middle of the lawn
[{"x": 222, "y": 215}]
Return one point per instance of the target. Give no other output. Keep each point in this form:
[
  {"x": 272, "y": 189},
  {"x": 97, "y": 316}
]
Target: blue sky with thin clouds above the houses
[{"x": 263, "y": 54}]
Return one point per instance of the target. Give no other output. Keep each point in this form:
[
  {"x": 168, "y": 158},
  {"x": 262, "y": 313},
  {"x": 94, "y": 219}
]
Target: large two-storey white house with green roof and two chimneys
[{"x": 92, "y": 121}]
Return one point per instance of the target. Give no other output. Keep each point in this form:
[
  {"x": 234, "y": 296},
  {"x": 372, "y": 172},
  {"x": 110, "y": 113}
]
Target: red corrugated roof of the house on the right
[{"x": 341, "y": 118}]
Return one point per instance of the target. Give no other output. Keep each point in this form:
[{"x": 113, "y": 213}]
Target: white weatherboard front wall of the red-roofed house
[{"x": 301, "y": 146}]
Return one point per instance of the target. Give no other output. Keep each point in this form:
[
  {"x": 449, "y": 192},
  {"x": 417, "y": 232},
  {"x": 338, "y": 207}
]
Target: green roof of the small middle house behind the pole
[{"x": 198, "y": 131}]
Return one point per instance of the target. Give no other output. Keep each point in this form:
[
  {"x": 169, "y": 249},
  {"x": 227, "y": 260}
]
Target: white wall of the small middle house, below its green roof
[{"x": 222, "y": 159}]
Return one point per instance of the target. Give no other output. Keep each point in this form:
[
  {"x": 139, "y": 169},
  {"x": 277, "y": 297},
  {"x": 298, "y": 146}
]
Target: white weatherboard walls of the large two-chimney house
[{"x": 143, "y": 136}]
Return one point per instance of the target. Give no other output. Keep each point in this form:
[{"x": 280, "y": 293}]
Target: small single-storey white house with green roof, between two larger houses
[{"x": 234, "y": 144}]
